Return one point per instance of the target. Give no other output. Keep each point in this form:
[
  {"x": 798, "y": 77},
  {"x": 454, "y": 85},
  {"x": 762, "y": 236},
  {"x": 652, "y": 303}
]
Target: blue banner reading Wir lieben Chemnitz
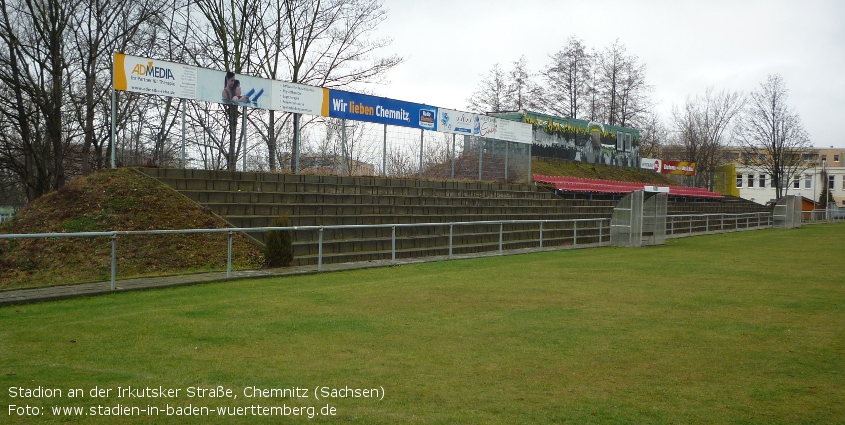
[{"x": 362, "y": 107}]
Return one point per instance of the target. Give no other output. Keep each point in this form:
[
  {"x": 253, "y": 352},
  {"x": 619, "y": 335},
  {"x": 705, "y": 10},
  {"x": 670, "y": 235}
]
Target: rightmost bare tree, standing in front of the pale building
[{"x": 772, "y": 135}]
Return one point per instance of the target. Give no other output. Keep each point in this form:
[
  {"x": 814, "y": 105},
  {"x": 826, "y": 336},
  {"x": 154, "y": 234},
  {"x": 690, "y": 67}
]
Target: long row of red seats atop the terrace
[{"x": 577, "y": 184}]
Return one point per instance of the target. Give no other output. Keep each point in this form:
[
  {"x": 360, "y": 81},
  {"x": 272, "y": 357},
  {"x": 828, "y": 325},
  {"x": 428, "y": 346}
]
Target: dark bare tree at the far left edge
[{"x": 33, "y": 74}]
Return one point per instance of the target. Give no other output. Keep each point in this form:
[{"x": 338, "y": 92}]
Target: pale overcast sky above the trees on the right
[{"x": 686, "y": 46}]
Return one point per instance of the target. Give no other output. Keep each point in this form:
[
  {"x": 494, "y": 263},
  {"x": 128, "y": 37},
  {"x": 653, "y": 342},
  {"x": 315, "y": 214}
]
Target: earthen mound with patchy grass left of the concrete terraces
[{"x": 121, "y": 200}]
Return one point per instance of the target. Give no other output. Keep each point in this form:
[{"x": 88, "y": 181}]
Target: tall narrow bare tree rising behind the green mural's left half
[{"x": 567, "y": 80}]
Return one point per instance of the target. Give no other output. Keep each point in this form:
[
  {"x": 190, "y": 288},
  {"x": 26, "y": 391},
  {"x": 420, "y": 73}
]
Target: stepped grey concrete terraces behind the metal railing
[{"x": 248, "y": 200}]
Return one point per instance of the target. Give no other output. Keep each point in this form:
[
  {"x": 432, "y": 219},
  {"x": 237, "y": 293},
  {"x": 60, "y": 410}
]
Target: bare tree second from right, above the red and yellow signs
[{"x": 702, "y": 125}]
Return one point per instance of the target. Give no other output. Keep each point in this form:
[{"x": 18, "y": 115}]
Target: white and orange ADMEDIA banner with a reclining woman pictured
[{"x": 142, "y": 75}]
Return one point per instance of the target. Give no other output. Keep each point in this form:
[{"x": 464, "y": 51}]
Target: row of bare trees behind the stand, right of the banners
[{"x": 610, "y": 85}]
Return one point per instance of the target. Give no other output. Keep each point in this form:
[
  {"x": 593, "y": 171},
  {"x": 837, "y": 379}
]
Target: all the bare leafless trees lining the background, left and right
[{"x": 56, "y": 79}]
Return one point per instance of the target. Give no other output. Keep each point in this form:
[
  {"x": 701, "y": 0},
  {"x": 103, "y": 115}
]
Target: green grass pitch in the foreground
[{"x": 738, "y": 328}]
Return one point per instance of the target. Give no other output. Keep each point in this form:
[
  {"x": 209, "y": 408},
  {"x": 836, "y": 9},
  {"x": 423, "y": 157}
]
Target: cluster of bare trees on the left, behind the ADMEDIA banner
[{"x": 56, "y": 66}]
